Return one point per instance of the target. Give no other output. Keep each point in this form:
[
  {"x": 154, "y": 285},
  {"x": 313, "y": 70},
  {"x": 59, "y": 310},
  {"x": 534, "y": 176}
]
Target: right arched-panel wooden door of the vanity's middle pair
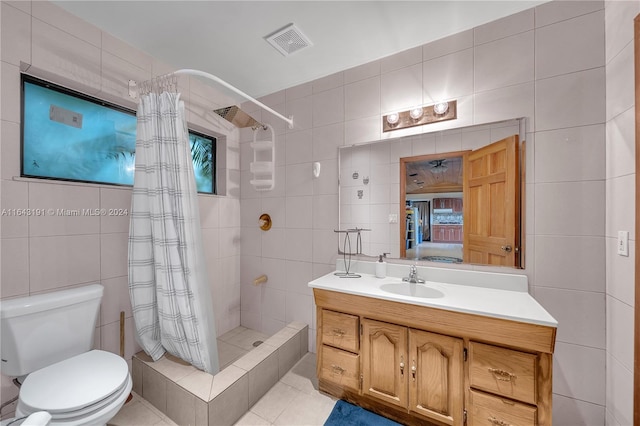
[{"x": 436, "y": 376}]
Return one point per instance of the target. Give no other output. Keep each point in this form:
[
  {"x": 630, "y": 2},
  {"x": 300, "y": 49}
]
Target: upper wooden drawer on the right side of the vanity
[{"x": 503, "y": 371}]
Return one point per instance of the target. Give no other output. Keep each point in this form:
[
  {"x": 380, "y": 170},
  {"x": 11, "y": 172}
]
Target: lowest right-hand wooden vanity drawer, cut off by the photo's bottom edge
[{"x": 488, "y": 410}]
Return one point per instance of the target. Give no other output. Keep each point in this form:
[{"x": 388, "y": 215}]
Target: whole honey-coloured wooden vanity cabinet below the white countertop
[{"x": 424, "y": 365}]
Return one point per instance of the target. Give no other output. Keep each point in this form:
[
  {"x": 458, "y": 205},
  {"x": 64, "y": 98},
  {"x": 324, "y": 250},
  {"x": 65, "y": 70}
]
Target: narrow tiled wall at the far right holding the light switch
[{"x": 620, "y": 214}]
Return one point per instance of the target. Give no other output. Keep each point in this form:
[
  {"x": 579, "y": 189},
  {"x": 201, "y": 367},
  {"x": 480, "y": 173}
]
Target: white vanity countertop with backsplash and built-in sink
[{"x": 481, "y": 293}]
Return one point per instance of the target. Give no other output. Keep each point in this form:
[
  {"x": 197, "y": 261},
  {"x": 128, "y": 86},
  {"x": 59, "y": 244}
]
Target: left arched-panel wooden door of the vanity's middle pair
[{"x": 384, "y": 361}]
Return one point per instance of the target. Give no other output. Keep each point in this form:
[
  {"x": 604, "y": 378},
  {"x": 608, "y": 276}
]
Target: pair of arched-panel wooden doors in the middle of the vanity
[{"x": 426, "y": 374}]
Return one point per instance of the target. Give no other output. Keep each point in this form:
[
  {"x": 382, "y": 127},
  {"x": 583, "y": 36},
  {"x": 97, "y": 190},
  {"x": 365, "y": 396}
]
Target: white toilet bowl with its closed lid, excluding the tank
[{"x": 87, "y": 389}]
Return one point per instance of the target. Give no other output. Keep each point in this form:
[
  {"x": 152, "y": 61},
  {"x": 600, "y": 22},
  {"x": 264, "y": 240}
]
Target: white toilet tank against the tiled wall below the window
[{"x": 37, "y": 331}]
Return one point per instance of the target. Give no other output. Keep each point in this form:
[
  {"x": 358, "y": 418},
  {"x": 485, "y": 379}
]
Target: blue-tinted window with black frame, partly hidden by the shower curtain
[{"x": 70, "y": 136}]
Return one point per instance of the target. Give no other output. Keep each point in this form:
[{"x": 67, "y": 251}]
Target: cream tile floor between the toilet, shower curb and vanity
[{"x": 294, "y": 400}]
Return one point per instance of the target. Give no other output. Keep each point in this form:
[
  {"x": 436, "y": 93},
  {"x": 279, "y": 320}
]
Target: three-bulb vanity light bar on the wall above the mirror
[{"x": 441, "y": 111}]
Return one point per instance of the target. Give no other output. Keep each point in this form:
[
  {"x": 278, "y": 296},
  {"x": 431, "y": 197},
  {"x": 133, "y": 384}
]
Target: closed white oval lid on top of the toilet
[{"x": 75, "y": 383}]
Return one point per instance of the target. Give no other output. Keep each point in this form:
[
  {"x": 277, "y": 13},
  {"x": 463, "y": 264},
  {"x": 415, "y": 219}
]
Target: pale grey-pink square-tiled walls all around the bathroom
[{"x": 545, "y": 63}]
